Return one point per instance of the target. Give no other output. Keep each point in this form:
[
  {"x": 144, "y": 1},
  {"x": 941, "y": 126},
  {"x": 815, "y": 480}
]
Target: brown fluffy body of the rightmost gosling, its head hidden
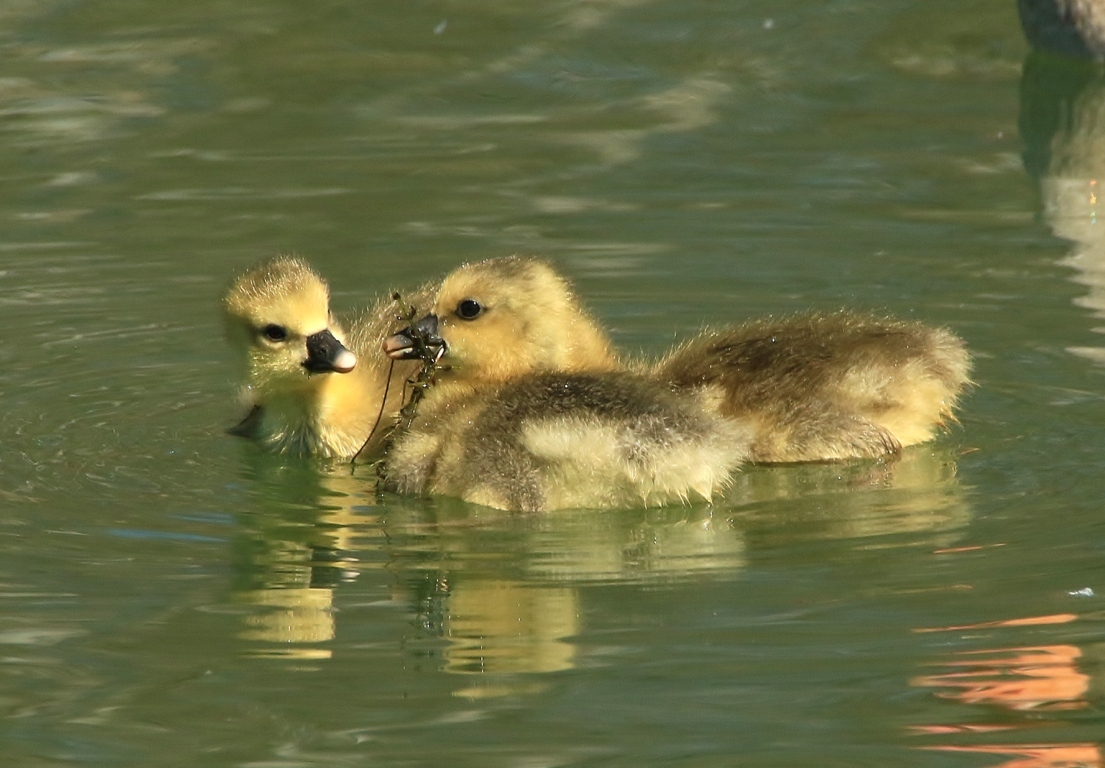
[{"x": 828, "y": 387}]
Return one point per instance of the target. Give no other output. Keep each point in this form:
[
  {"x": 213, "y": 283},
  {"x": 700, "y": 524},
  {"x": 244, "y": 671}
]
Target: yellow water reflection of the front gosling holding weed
[{"x": 506, "y": 594}]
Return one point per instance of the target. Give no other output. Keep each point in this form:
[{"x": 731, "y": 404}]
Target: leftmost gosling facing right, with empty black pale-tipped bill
[{"x": 310, "y": 394}]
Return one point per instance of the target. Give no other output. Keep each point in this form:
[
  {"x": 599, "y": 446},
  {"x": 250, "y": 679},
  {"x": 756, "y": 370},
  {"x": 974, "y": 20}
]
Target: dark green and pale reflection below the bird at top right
[{"x": 1062, "y": 124}]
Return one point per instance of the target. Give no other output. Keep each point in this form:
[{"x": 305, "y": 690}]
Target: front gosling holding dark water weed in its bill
[{"x": 531, "y": 412}]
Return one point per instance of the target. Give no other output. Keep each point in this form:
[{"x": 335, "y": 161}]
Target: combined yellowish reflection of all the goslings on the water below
[{"x": 501, "y": 598}]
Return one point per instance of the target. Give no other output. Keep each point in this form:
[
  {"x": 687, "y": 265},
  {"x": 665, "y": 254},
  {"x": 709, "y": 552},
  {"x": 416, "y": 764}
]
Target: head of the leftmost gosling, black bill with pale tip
[{"x": 279, "y": 321}]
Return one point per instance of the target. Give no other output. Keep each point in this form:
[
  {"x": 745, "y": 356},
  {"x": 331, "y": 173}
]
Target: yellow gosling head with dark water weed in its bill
[{"x": 507, "y": 318}]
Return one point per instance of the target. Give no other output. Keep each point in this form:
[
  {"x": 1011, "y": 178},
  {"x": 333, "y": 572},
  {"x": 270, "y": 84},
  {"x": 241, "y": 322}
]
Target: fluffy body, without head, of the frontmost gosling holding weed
[{"x": 560, "y": 440}]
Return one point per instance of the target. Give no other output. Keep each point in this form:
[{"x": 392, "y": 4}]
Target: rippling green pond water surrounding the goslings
[{"x": 172, "y": 597}]
